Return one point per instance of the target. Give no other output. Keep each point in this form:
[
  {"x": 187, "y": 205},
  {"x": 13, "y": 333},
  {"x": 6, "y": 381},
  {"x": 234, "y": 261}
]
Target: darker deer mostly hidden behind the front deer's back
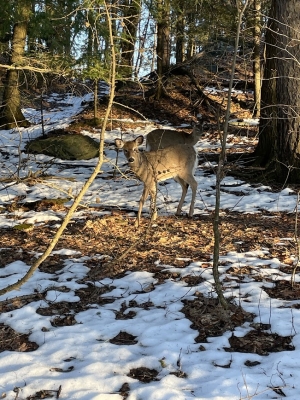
[{"x": 162, "y": 138}]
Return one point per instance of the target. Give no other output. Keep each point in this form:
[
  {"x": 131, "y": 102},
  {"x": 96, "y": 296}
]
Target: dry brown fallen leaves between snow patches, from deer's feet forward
[{"x": 175, "y": 241}]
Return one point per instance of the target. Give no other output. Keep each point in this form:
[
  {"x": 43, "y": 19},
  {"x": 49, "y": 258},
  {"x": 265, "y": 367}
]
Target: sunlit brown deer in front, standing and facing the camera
[{"x": 151, "y": 167}]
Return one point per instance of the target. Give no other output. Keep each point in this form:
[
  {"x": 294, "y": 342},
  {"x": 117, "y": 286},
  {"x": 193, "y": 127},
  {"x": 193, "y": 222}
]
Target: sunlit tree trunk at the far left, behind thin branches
[{"x": 10, "y": 112}]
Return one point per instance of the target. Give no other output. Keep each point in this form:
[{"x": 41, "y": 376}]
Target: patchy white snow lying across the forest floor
[{"x": 81, "y": 358}]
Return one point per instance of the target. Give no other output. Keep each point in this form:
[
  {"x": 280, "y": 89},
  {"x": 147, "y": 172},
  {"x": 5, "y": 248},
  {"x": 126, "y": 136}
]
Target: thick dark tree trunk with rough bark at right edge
[{"x": 278, "y": 149}]
